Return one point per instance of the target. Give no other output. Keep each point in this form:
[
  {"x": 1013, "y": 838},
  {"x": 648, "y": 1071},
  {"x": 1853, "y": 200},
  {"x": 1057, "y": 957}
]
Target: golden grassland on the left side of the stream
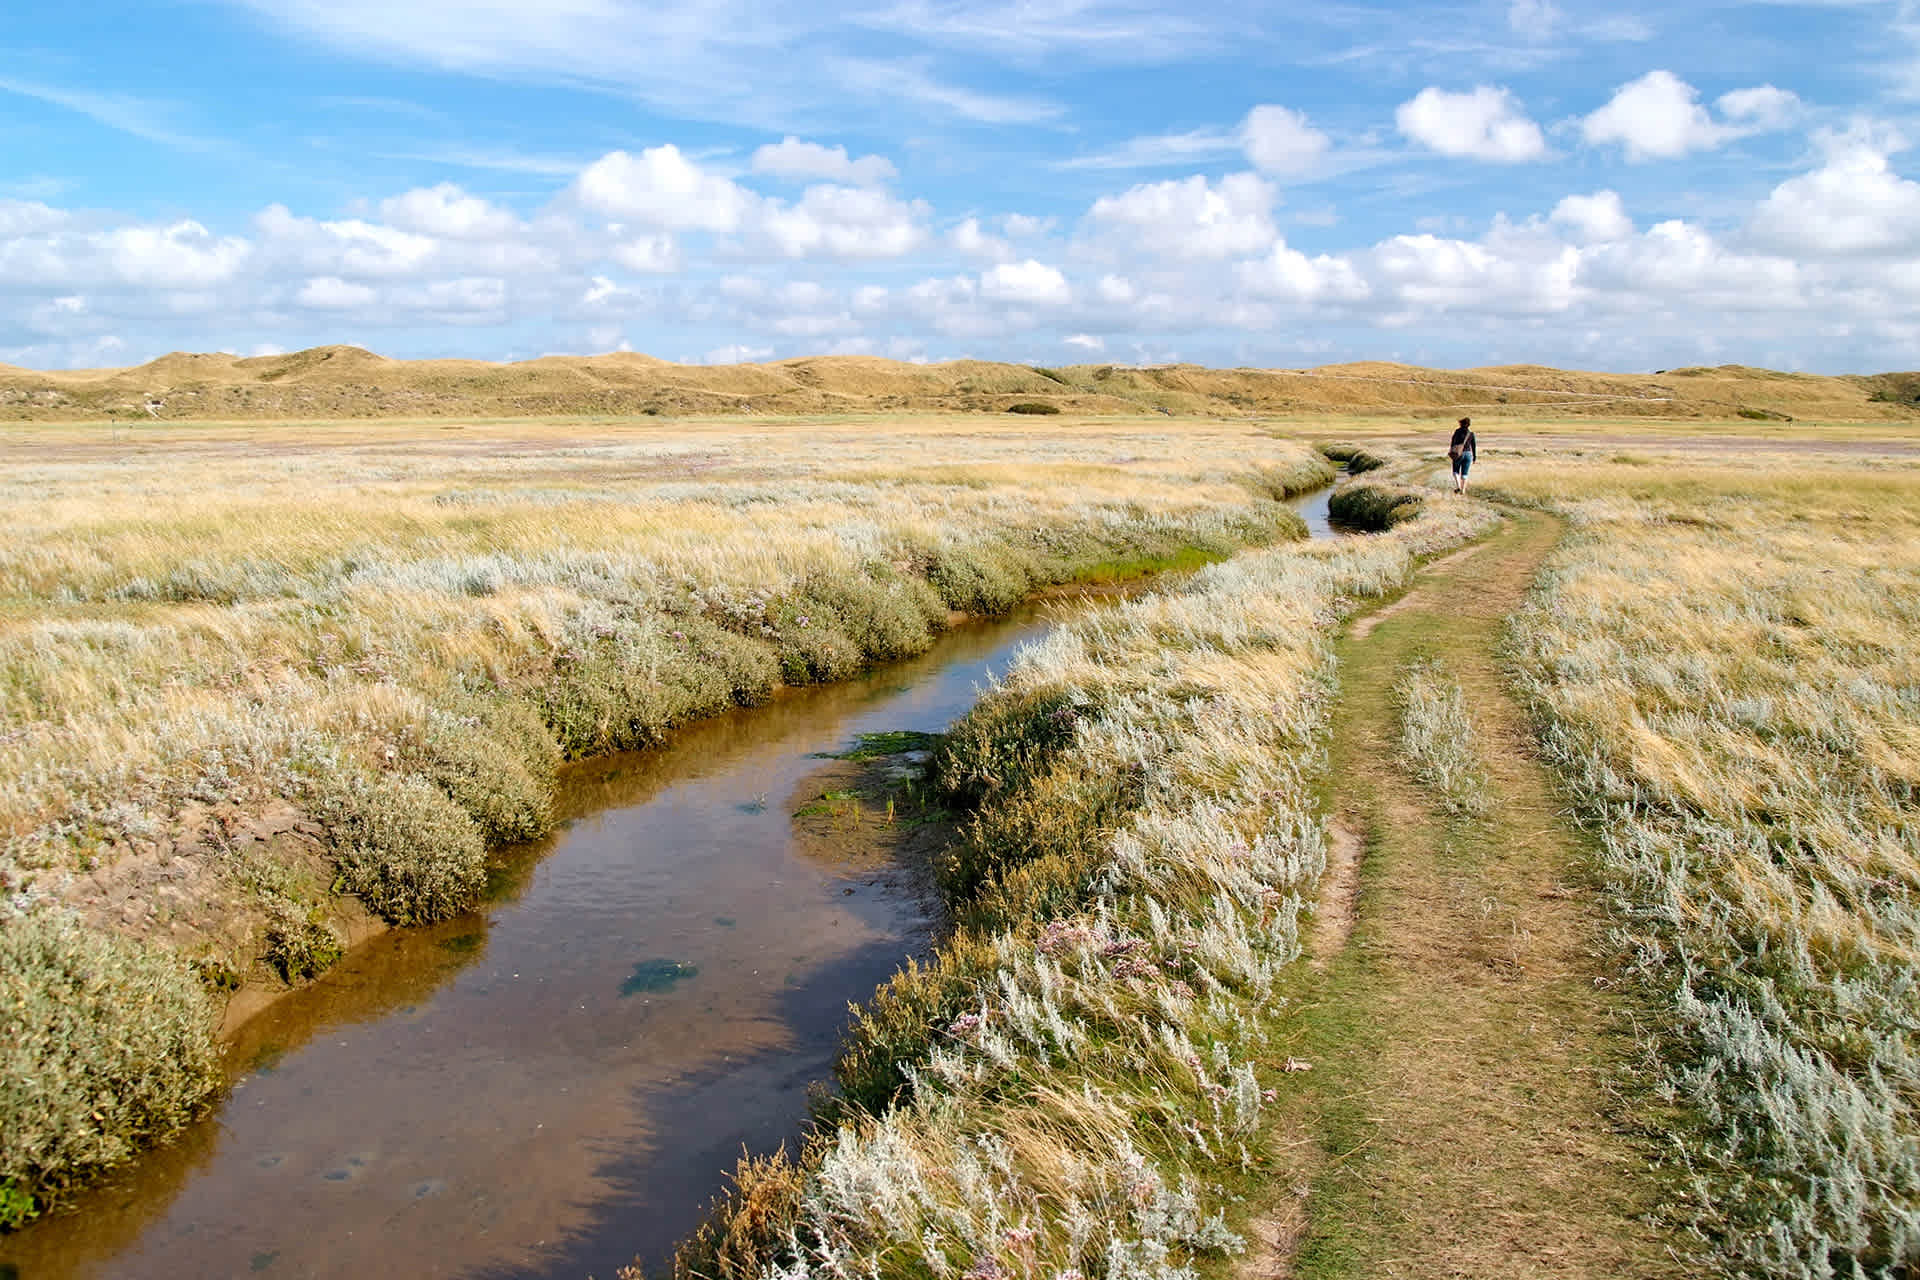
[{"x": 400, "y": 636}]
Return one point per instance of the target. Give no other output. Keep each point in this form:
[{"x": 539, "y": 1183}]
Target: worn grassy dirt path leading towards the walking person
[{"x": 1454, "y": 1120}]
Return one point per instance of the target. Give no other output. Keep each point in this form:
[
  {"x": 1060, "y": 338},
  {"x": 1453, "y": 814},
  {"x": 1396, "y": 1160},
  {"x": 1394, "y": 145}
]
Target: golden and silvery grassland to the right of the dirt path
[{"x": 1727, "y": 667}]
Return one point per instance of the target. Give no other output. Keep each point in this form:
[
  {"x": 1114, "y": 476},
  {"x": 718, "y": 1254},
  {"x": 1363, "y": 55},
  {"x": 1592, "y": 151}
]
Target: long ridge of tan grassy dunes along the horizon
[{"x": 348, "y": 383}]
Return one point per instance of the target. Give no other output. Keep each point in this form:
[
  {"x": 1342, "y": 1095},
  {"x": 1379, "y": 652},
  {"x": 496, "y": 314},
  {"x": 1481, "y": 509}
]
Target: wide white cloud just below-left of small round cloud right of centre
[{"x": 1191, "y": 218}]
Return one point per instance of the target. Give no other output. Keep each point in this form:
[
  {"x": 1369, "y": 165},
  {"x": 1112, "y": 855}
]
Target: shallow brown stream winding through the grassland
[{"x": 560, "y": 1081}]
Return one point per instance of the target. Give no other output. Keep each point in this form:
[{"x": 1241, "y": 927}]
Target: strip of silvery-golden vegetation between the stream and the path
[{"x": 1074, "y": 1083}]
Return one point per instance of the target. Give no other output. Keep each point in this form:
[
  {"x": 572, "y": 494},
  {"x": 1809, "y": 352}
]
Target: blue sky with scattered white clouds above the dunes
[{"x": 1049, "y": 181}]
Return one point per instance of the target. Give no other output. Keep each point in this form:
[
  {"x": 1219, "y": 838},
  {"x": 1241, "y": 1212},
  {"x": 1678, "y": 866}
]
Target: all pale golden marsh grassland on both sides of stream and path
[{"x": 256, "y": 680}]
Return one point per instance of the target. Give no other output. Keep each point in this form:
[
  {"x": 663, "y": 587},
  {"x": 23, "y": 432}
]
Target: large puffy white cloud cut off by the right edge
[{"x": 1854, "y": 206}]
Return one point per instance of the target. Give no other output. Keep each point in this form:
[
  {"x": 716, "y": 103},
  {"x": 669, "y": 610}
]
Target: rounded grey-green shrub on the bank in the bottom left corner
[{"x": 103, "y": 1049}]
